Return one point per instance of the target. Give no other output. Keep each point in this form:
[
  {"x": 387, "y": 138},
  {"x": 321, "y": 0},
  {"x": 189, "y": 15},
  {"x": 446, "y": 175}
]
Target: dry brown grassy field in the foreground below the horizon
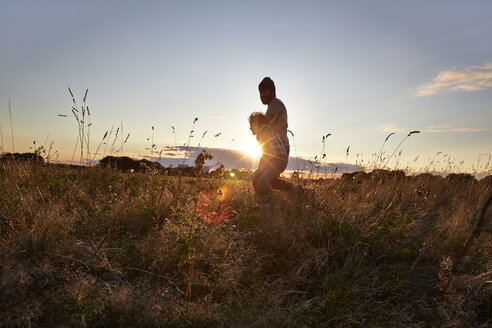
[{"x": 100, "y": 248}]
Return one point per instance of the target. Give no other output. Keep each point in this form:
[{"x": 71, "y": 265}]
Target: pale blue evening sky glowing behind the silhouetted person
[{"x": 358, "y": 70}]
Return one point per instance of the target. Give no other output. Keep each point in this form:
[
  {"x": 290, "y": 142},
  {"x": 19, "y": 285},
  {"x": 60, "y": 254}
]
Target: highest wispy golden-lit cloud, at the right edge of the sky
[{"x": 469, "y": 79}]
